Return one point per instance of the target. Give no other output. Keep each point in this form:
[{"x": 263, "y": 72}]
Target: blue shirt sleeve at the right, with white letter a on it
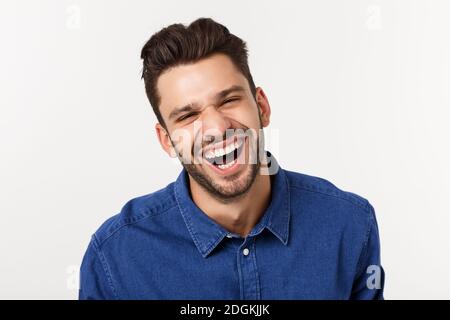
[{"x": 369, "y": 280}]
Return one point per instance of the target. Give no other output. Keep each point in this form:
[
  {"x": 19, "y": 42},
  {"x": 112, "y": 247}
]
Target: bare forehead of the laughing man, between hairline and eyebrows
[{"x": 198, "y": 81}]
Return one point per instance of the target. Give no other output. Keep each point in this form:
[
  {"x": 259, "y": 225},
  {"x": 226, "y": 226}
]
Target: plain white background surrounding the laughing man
[{"x": 360, "y": 94}]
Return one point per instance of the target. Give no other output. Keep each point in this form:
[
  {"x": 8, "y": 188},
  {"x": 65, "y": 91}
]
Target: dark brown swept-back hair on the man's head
[{"x": 177, "y": 44}]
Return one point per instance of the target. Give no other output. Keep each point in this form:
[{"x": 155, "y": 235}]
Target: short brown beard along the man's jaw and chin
[{"x": 230, "y": 187}]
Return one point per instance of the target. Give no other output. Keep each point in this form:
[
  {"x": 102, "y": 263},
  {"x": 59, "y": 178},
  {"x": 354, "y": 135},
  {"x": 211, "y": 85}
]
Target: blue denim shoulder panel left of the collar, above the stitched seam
[{"x": 135, "y": 211}]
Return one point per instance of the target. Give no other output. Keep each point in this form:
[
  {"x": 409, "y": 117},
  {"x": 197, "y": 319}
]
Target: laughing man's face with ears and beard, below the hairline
[{"x": 213, "y": 124}]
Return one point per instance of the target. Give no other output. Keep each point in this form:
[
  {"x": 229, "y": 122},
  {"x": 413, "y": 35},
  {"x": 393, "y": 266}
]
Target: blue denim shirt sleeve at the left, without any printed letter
[{"x": 95, "y": 282}]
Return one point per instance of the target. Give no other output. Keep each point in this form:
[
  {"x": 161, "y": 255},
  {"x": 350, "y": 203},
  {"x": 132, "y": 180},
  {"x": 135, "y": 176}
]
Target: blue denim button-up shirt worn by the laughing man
[{"x": 314, "y": 241}]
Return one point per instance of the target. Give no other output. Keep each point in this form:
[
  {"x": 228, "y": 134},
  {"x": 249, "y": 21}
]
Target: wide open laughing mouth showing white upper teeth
[{"x": 223, "y": 158}]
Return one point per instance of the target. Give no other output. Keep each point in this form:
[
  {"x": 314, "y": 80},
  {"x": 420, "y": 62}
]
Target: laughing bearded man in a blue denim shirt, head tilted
[{"x": 234, "y": 225}]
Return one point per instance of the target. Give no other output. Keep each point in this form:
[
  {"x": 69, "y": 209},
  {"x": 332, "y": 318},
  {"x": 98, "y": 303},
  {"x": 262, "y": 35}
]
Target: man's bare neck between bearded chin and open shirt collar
[{"x": 240, "y": 215}]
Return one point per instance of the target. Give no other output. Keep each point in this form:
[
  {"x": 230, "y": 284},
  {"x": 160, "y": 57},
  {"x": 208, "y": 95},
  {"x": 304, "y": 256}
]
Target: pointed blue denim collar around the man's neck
[{"x": 207, "y": 234}]
